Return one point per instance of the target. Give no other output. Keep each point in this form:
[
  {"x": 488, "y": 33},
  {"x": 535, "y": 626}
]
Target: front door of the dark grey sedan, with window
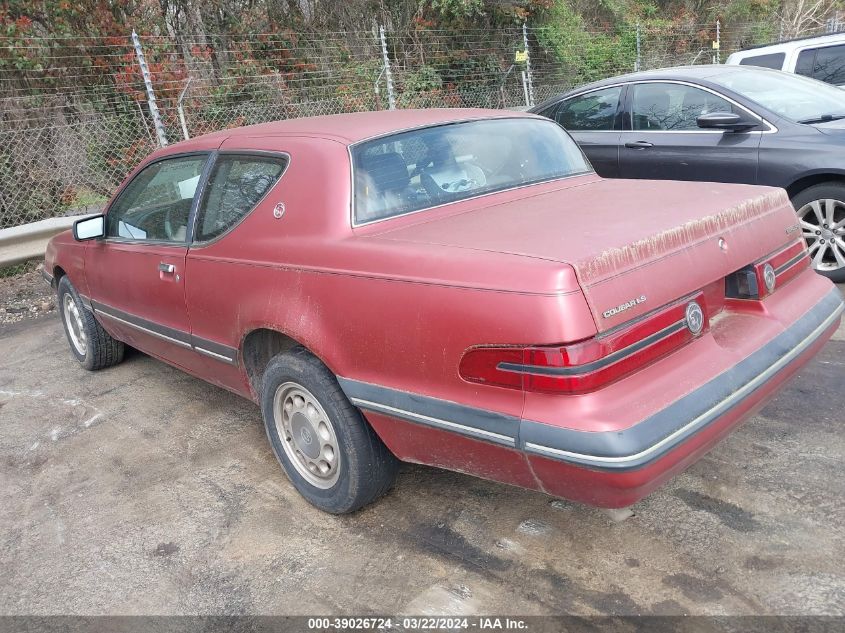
[{"x": 663, "y": 141}]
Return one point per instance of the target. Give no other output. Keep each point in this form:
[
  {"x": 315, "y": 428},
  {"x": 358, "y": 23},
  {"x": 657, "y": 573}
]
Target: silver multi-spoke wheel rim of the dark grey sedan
[{"x": 823, "y": 228}]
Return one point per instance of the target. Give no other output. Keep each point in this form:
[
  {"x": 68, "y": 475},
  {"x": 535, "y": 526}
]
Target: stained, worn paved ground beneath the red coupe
[{"x": 142, "y": 490}]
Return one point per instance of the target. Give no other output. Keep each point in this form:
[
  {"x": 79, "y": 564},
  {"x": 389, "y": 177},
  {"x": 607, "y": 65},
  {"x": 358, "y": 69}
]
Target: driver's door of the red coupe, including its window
[{"x": 136, "y": 273}]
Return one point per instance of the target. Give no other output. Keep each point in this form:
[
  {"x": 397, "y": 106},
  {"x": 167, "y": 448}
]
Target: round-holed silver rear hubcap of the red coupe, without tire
[{"x": 307, "y": 435}]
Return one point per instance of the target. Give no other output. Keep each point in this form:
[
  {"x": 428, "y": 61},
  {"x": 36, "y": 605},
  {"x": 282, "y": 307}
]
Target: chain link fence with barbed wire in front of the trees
[{"x": 75, "y": 119}]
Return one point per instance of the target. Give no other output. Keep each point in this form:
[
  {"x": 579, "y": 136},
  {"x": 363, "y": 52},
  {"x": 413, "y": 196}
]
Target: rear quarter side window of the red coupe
[{"x": 235, "y": 187}]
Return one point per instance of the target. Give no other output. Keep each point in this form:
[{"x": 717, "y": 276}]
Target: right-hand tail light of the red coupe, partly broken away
[{"x": 759, "y": 280}]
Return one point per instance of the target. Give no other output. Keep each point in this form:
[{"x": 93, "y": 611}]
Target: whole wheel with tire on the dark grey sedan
[{"x": 821, "y": 208}]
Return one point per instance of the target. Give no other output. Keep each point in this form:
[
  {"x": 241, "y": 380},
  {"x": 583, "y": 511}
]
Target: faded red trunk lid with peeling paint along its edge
[{"x": 634, "y": 245}]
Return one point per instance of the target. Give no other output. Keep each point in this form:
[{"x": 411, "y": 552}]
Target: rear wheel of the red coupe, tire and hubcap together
[{"x": 328, "y": 450}]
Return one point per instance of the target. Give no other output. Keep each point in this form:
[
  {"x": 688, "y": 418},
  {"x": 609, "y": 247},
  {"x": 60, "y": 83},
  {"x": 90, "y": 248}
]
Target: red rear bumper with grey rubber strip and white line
[{"x": 617, "y": 468}]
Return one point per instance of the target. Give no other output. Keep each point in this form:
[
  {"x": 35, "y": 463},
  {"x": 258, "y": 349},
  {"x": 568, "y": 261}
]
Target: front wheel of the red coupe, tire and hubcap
[{"x": 92, "y": 346}]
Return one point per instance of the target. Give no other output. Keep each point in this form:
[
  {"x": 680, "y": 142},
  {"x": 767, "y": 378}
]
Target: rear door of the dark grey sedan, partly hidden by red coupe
[{"x": 594, "y": 120}]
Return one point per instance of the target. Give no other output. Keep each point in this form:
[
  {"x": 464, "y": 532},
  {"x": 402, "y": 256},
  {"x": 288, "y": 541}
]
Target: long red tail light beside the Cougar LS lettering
[{"x": 592, "y": 363}]
